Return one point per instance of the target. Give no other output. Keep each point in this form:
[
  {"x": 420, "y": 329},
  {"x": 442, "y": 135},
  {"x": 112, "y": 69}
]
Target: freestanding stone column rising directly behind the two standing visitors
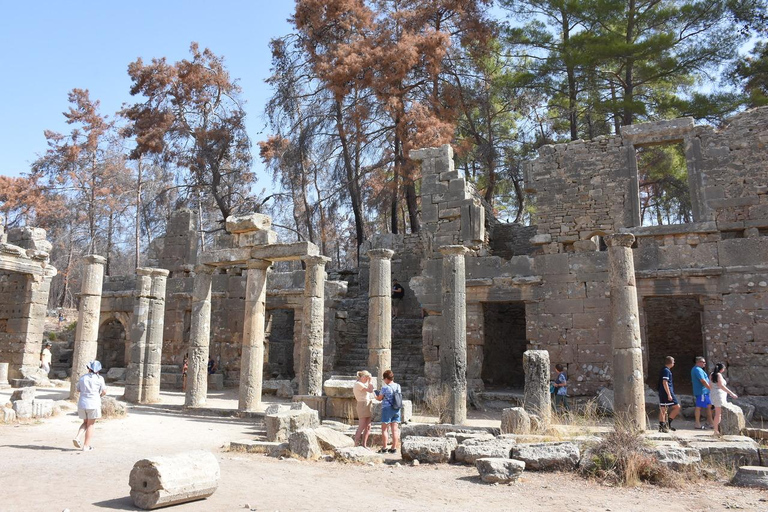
[{"x": 380, "y": 312}]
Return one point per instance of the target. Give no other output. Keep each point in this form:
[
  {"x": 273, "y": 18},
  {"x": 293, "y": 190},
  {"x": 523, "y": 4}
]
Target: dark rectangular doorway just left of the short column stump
[{"x": 504, "y": 344}]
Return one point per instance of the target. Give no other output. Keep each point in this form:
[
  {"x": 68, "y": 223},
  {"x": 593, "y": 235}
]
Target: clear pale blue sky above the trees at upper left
[{"x": 49, "y": 48}]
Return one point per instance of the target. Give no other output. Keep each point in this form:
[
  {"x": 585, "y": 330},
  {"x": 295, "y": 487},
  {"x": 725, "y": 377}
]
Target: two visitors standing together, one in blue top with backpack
[{"x": 390, "y": 396}]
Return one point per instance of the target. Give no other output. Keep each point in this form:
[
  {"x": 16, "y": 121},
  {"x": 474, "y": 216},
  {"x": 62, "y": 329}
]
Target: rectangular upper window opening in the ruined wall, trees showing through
[{"x": 665, "y": 195}]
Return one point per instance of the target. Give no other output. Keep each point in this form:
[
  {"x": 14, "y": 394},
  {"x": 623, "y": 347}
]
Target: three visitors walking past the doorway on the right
[{"x": 710, "y": 392}]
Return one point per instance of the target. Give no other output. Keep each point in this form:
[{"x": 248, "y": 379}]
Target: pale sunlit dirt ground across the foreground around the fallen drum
[{"x": 40, "y": 470}]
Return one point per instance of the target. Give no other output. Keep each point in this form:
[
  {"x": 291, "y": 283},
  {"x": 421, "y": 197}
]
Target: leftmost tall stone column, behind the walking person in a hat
[{"x": 87, "y": 331}]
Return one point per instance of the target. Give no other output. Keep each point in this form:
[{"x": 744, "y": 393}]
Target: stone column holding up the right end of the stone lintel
[{"x": 312, "y": 327}]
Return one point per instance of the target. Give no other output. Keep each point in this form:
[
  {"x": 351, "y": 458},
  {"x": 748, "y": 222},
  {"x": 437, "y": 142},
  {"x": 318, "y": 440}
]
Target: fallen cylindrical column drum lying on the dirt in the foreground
[{"x": 169, "y": 480}]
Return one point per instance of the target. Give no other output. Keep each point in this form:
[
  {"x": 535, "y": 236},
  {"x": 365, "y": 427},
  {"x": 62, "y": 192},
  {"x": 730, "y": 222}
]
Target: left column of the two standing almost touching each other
[{"x": 135, "y": 372}]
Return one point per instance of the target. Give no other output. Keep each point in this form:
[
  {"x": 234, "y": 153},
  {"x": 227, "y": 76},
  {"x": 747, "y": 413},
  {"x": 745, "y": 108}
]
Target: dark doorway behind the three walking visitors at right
[{"x": 673, "y": 328}]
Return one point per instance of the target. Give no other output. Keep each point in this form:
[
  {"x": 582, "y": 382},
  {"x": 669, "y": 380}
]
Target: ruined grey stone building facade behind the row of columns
[{"x": 702, "y": 286}]
